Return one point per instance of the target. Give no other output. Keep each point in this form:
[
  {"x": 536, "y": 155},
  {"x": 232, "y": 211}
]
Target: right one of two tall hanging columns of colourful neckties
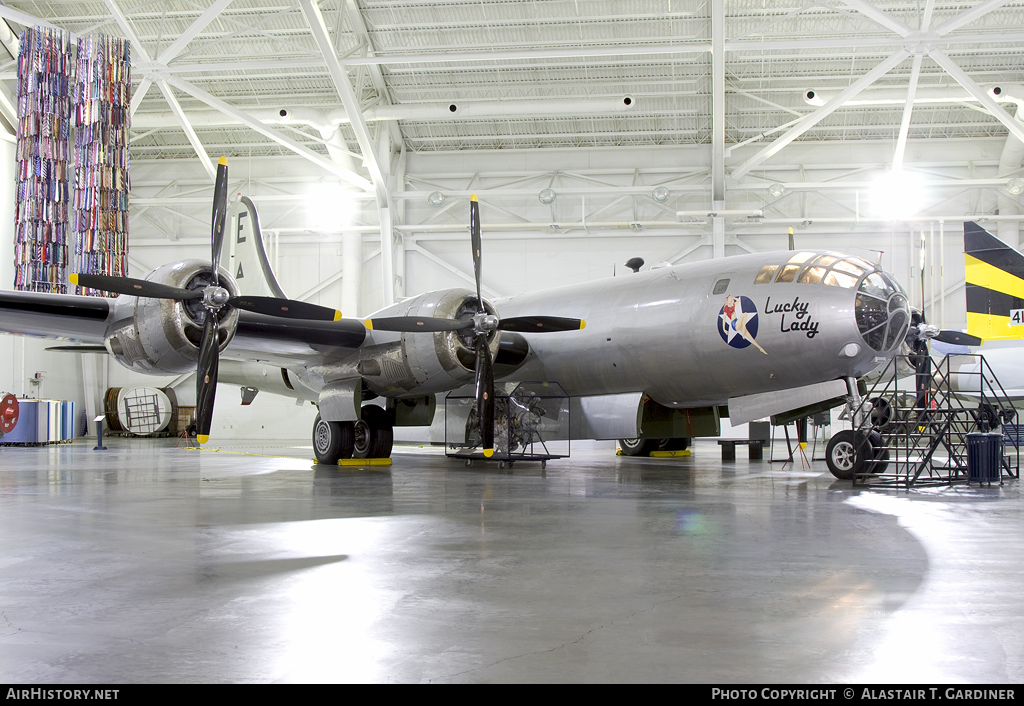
[{"x": 102, "y": 97}]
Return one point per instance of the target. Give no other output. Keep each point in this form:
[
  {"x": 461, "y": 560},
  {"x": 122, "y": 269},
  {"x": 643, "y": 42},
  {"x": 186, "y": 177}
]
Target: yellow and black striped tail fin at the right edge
[{"x": 995, "y": 286}]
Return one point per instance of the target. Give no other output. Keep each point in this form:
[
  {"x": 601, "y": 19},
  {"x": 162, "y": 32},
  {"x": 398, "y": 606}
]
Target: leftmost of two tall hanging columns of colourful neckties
[{"x": 45, "y": 71}]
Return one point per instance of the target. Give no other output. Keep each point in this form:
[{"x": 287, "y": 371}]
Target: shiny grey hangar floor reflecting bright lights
[{"x": 150, "y": 564}]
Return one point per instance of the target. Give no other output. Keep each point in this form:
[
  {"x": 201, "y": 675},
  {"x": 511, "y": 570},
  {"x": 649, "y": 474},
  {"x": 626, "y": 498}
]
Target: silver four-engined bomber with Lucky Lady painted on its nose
[{"x": 653, "y": 359}]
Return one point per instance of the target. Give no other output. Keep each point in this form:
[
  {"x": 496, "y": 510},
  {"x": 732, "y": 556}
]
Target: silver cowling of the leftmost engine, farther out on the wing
[{"x": 163, "y": 336}]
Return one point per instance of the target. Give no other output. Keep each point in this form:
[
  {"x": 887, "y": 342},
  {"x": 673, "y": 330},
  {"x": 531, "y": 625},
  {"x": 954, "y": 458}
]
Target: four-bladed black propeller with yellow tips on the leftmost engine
[{"x": 215, "y": 299}]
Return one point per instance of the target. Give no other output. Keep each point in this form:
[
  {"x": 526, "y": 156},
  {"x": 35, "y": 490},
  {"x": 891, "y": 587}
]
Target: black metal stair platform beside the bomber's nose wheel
[{"x": 908, "y": 443}]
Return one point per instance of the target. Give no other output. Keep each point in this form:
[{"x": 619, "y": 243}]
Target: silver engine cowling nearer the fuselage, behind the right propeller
[{"x": 426, "y": 362}]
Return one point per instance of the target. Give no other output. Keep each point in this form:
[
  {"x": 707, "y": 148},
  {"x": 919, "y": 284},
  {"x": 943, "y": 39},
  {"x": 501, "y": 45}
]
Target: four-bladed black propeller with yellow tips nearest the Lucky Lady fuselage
[{"x": 482, "y": 324}]
